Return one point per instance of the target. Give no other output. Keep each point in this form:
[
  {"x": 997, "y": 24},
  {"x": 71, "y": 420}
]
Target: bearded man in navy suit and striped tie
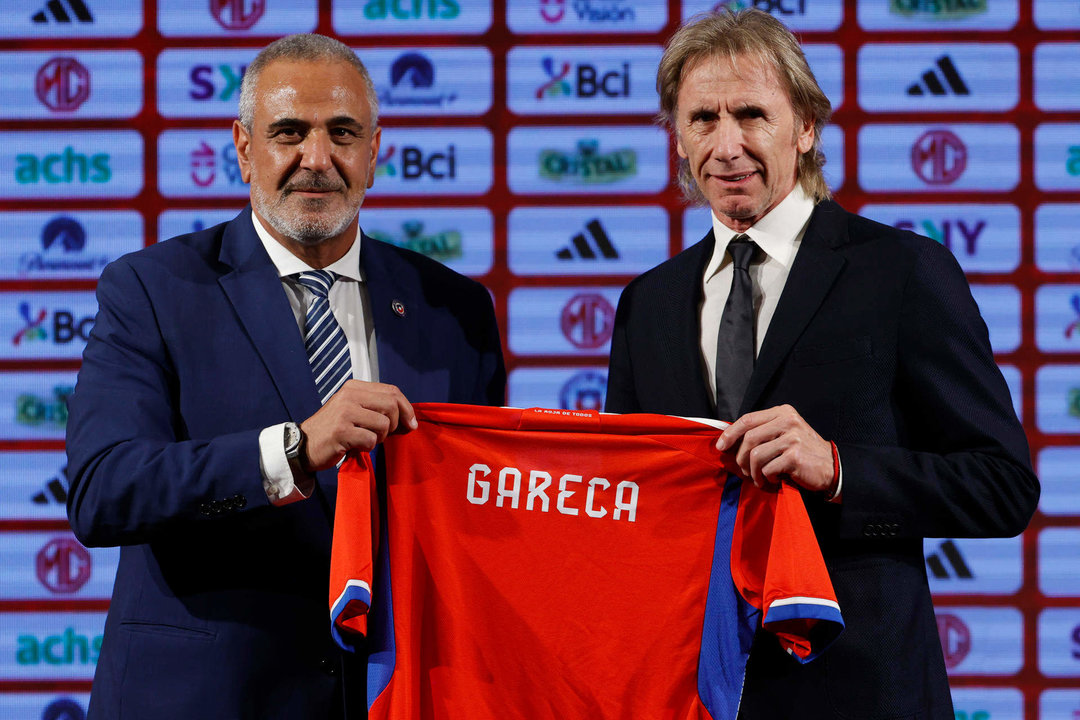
[{"x": 229, "y": 373}]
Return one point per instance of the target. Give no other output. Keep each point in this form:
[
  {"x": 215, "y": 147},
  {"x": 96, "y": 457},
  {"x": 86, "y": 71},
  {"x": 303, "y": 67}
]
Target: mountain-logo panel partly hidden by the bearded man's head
[{"x": 430, "y": 81}]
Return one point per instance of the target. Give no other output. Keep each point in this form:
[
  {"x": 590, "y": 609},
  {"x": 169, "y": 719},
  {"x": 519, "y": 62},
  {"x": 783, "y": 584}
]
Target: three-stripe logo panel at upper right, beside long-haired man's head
[{"x": 938, "y": 77}]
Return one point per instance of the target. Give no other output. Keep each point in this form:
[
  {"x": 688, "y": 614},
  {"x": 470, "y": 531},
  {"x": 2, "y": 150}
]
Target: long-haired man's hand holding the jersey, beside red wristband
[{"x": 778, "y": 445}]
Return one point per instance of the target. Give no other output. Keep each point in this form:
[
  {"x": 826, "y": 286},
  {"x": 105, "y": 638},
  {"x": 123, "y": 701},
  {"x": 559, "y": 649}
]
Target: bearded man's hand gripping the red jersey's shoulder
[{"x": 358, "y": 417}]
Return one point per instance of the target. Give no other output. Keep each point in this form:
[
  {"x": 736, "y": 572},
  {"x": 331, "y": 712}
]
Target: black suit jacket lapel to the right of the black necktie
[{"x": 813, "y": 274}]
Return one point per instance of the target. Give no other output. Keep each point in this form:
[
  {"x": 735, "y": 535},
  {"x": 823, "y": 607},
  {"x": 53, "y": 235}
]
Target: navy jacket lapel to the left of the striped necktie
[{"x": 254, "y": 290}]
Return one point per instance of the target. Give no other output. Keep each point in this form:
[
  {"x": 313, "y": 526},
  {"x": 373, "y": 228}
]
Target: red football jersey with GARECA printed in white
[{"x": 558, "y": 564}]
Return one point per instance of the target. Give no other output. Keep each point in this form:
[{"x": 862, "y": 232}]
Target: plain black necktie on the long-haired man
[{"x": 735, "y": 344}]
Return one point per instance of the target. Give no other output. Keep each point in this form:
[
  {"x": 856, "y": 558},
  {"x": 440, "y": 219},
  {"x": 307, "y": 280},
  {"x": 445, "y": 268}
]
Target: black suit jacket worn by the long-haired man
[{"x": 880, "y": 346}]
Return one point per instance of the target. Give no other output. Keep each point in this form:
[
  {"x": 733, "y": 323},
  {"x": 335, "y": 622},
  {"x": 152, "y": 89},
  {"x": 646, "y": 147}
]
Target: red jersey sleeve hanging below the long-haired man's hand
[{"x": 778, "y": 568}]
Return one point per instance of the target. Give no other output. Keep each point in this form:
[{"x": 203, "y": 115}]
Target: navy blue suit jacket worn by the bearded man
[{"x": 220, "y": 608}]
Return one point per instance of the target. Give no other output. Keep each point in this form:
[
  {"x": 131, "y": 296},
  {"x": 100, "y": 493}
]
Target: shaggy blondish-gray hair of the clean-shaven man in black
[{"x": 757, "y": 34}]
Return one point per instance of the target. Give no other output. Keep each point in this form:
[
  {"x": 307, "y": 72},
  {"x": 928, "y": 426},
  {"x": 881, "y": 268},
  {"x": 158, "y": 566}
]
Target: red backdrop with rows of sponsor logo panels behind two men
[{"x": 519, "y": 150}]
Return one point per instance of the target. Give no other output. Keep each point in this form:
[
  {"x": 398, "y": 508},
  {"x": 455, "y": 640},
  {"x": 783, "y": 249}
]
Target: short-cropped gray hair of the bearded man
[{"x": 304, "y": 47}]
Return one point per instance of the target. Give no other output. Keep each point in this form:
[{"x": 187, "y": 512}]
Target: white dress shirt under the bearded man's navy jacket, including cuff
[{"x": 353, "y": 309}]
